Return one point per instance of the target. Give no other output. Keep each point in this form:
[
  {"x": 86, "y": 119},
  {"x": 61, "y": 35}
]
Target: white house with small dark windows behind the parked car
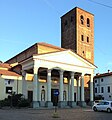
[{"x": 103, "y": 86}]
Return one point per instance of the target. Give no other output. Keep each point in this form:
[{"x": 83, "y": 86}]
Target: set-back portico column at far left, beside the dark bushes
[{"x": 24, "y": 84}]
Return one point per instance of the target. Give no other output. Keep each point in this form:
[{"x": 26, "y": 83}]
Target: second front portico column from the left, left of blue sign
[{"x": 49, "y": 103}]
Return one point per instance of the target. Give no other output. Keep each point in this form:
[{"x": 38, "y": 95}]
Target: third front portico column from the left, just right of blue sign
[{"x": 61, "y": 103}]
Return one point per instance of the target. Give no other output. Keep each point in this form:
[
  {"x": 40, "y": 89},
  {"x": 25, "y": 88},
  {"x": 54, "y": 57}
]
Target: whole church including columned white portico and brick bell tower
[{"x": 57, "y": 75}]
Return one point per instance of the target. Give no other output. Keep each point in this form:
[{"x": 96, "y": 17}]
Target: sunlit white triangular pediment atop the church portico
[{"x": 66, "y": 57}]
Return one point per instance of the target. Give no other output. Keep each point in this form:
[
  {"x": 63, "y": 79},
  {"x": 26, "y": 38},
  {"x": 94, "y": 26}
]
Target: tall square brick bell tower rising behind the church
[{"x": 77, "y": 33}]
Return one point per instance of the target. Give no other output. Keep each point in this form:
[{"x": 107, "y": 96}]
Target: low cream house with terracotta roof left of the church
[{"x": 9, "y": 81}]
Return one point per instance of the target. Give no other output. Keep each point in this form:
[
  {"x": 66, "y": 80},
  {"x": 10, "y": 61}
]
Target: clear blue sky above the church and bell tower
[{"x": 26, "y": 22}]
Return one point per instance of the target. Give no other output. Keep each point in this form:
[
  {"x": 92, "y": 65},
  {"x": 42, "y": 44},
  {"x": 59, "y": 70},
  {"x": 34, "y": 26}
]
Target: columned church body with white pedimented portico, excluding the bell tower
[{"x": 47, "y": 68}]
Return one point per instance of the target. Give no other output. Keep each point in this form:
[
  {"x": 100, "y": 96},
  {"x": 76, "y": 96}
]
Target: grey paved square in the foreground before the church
[{"x": 46, "y": 114}]
